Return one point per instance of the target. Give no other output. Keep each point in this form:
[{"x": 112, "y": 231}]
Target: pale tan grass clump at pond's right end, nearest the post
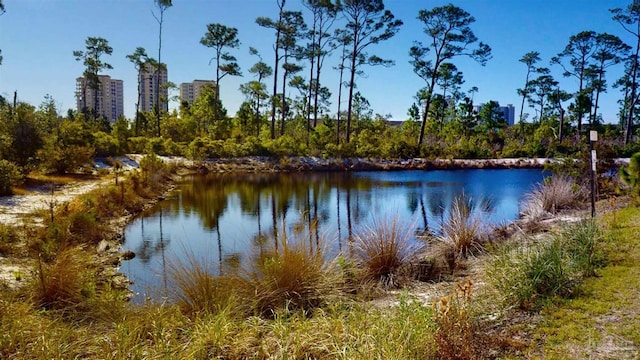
[{"x": 555, "y": 193}]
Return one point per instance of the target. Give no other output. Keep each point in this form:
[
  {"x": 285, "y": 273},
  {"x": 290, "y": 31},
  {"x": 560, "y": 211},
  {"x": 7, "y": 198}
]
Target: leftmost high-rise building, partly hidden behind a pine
[{"x": 107, "y": 100}]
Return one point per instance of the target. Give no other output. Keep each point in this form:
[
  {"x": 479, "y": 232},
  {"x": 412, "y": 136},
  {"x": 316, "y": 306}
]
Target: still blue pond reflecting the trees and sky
[{"x": 219, "y": 217}]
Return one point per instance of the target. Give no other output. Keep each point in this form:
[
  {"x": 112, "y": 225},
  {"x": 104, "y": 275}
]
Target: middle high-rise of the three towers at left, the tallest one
[{"x": 150, "y": 86}]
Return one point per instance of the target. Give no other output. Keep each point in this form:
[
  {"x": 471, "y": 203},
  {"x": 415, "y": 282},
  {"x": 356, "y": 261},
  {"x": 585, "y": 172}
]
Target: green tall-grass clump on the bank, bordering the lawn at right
[{"x": 526, "y": 275}]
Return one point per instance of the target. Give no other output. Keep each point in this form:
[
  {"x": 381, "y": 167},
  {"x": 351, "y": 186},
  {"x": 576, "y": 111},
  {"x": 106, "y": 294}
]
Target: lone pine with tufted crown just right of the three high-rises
[{"x": 218, "y": 37}]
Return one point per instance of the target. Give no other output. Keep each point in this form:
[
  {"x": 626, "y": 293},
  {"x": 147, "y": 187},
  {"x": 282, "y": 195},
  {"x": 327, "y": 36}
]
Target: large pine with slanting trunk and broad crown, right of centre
[{"x": 449, "y": 34}]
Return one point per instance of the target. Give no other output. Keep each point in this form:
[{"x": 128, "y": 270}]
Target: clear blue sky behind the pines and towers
[{"x": 38, "y": 37}]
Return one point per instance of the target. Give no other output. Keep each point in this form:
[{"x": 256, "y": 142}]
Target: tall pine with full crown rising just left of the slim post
[{"x": 578, "y": 53}]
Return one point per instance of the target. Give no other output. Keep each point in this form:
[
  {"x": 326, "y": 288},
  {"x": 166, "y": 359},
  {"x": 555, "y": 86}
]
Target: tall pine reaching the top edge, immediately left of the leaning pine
[{"x": 368, "y": 23}]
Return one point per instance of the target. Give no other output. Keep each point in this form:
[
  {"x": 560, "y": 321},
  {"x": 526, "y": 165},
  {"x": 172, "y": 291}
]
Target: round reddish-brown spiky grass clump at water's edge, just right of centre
[{"x": 382, "y": 249}]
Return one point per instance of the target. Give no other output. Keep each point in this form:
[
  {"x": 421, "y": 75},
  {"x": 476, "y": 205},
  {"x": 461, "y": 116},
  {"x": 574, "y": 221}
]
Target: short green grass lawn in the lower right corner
[{"x": 603, "y": 321}]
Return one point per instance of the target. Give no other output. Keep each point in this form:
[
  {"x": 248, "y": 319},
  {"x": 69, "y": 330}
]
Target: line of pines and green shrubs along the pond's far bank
[{"x": 442, "y": 122}]
